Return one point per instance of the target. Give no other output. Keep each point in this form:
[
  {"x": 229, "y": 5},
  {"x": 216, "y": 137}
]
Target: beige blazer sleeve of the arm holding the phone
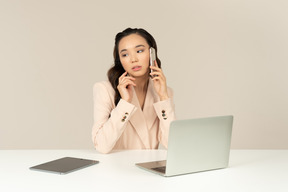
[{"x": 165, "y": 111}]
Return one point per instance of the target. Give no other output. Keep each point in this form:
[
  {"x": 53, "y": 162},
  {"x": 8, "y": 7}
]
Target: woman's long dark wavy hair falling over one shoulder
[{"x": 117, "y": 69}]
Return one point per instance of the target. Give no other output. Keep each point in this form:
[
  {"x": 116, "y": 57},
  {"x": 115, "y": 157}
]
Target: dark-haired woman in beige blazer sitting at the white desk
[{"x": 132, "y": 110}]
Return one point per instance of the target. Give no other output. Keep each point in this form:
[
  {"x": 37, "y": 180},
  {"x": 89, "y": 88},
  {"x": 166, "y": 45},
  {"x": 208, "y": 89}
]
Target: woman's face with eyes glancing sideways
[{"x": 134, "y": 55}]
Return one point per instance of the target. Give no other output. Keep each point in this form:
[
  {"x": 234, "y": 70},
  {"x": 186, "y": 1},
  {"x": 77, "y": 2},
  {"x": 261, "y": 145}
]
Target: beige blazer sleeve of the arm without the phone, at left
[{"x": 109, "y": 121}]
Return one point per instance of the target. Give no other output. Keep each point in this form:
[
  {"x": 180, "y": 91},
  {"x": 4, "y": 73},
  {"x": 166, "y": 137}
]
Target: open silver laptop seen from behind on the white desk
[{"x": 195, "y": 145}]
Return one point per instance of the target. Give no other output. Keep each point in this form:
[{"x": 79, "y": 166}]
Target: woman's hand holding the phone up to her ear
[{"x": 159, "y": 80}]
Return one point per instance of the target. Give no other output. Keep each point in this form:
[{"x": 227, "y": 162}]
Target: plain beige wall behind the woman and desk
[{"x": 220, "y": 57}]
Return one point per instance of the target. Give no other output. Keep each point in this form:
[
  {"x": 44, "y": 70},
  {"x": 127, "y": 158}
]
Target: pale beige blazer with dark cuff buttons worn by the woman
[{"x": 126, "y": 126}]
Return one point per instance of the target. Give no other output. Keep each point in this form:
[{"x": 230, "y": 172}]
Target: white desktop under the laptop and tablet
[{"x": 250, "y": 170}]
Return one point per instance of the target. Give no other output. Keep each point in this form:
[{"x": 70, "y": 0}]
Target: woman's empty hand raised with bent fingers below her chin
[{"x": 125, "y": 87}]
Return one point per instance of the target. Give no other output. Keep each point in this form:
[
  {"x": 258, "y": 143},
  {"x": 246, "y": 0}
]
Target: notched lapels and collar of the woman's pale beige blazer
[{"x": 147, "y": 116}]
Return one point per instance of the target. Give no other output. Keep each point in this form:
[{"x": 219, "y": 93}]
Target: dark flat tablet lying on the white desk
[{"x": 64, "y": 165}]
